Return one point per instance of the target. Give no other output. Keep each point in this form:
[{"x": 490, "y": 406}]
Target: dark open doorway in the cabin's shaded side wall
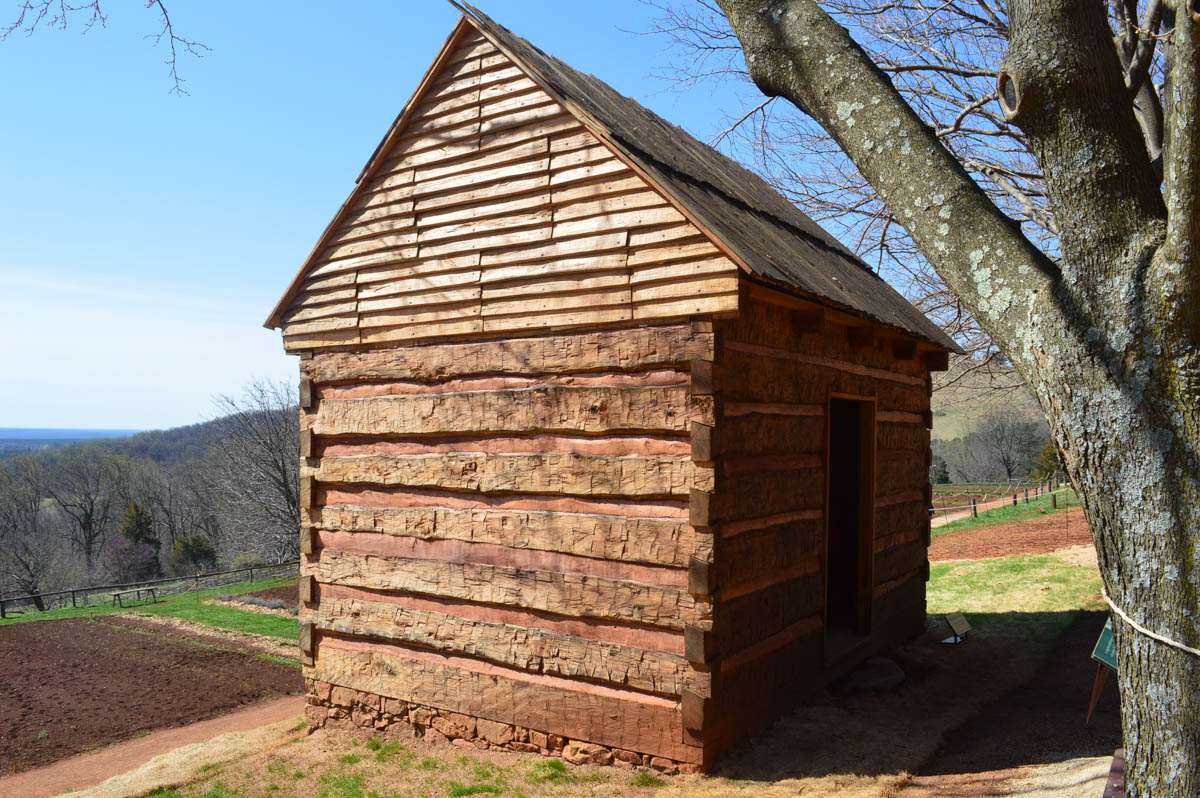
[{"x": 851, "y": 515}]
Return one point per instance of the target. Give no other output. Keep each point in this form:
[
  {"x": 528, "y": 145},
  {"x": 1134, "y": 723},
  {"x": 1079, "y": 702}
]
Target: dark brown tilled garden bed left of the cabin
[{"x": 76, "y": 685}]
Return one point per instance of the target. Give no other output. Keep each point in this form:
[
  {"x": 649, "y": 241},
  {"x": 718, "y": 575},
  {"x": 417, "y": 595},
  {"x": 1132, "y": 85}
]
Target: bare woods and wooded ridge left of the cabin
[{"x": 163, "y": 503}]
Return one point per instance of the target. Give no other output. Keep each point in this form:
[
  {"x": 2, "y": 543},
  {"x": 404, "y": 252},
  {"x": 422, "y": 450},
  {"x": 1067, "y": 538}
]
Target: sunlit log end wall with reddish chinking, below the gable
[{"x": 500, "y": 530}]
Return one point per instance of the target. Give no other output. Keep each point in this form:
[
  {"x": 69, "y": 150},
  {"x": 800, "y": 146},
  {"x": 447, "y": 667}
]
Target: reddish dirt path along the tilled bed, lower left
[{"x": 92, "y": 769}]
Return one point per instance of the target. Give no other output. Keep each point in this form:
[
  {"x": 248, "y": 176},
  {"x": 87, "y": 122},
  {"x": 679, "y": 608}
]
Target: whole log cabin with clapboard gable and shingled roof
[{"x": 608, "y": 451}]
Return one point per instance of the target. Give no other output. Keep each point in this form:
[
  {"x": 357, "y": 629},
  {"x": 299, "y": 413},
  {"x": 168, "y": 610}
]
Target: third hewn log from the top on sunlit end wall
[{"x": 524, "y": 473}]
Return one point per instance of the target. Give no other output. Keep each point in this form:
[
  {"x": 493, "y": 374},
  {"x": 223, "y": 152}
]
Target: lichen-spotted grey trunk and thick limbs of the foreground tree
[{"x": 1106, "y": 338}]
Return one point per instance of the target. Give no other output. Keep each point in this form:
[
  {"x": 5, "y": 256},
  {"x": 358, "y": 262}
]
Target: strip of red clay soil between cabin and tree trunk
[{"x": 1039, "y": 536}]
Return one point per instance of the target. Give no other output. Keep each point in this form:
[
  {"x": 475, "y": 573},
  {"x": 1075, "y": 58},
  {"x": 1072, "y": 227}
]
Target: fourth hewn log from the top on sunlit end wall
[{"x": 662, "y": 542}]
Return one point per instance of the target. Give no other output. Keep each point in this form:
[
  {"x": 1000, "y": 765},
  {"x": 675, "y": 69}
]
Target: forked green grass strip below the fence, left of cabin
[{"x": 190, "y": 607}]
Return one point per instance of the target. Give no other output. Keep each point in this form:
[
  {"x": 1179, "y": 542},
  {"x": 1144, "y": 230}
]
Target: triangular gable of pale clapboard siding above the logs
[{"x": 496, "y": 212}]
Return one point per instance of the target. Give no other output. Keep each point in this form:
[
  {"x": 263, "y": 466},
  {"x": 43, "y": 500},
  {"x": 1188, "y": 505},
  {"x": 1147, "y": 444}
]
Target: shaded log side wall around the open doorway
[{"x": 775, "y": 370}]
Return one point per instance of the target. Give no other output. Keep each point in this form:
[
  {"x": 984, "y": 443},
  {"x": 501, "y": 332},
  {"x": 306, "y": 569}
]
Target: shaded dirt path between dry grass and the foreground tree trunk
[{"x": 1036, "y": 724}]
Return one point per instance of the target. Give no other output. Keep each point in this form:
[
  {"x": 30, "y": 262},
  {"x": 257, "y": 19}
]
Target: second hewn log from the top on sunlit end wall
[{"x": 538, "y": 410}]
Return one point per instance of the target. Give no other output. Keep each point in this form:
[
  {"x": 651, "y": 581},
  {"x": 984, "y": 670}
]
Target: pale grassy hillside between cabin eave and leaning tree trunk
[{"x": 963, "y": 400}]
